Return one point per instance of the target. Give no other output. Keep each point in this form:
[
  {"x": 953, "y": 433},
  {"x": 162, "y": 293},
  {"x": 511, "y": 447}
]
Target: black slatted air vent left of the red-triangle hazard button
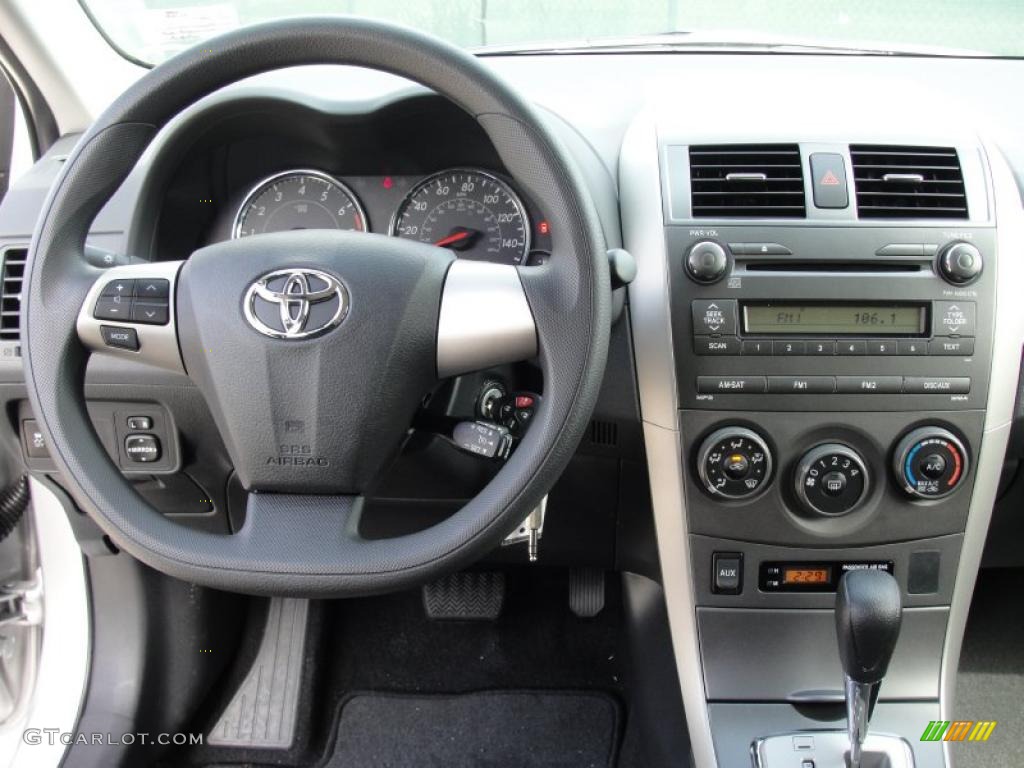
[{"x": 747, "y": 181}]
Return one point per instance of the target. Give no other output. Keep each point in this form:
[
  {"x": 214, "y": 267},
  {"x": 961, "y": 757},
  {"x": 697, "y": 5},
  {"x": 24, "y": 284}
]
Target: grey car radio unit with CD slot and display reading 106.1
[{"x": 843, "y": 314}]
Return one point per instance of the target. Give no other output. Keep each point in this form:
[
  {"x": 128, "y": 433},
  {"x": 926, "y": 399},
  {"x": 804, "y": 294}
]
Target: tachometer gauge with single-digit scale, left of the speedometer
[{"x": 298, "y": 200}]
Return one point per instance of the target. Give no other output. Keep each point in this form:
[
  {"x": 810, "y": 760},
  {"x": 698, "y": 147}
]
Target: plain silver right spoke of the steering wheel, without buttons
[{"x": 485, "y": 319}]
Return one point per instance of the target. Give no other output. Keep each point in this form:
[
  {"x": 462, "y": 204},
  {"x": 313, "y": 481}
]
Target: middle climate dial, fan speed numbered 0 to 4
[{"x": 832, "y": 480}]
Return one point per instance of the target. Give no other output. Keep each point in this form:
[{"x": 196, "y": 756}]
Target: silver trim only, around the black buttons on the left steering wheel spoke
[{"x": 158, "y": 345}]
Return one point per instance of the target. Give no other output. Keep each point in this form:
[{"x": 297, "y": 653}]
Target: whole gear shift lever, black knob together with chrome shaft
[{"x": 868, "y": 620}]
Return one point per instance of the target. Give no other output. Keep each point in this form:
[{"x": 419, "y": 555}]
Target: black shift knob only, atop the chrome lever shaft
[{"x": 868, "y": 620}]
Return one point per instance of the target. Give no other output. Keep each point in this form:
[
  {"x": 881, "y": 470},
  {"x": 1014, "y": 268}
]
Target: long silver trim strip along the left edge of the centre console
[{"x": 644, "y": 233}]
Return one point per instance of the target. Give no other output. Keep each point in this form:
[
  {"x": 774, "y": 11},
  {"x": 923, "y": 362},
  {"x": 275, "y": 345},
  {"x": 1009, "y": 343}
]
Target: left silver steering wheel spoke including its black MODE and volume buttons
[{"x": 130, "y": 313}]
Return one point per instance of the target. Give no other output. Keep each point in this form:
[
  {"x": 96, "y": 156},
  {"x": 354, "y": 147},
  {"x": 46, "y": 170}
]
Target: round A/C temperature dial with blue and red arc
[{"x": 930, "y": 463}]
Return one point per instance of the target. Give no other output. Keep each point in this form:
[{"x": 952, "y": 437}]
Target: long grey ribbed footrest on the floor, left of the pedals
[{"x": 263, "y": 713}]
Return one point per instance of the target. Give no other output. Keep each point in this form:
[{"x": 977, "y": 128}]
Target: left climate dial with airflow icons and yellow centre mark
[{"x": 735, "y": 463}]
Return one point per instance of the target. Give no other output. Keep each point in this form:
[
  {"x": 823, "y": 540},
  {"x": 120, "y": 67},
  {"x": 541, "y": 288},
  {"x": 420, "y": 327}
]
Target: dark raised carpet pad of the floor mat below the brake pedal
[{"x": 491, "y": 730}]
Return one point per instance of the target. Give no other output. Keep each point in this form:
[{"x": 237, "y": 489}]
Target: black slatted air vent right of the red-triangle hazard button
[{"x": 909, "y": 183}]
